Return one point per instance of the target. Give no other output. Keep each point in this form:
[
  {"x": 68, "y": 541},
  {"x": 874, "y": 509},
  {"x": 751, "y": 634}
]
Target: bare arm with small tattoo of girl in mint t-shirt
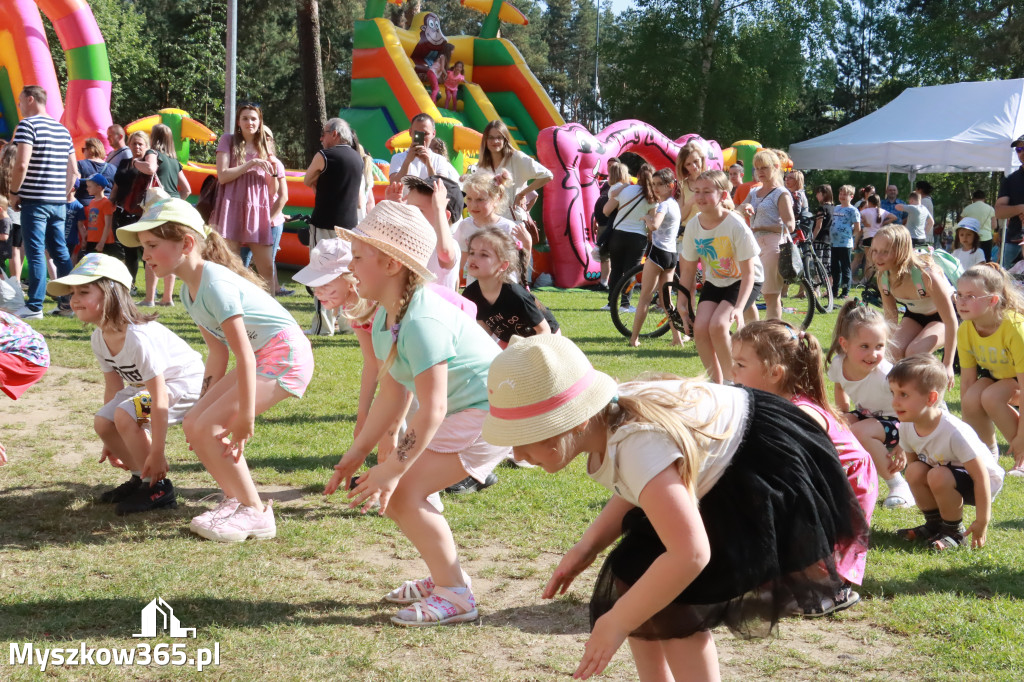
[{"x": 379, "y": 484}]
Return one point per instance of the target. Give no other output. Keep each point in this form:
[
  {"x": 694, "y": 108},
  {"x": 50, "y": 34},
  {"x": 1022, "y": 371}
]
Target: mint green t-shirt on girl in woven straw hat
[{"x": 435, "y": 331}]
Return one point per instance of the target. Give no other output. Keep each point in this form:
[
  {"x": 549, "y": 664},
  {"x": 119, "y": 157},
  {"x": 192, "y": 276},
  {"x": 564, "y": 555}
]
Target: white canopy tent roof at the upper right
[{"x": 957, "y": 129}]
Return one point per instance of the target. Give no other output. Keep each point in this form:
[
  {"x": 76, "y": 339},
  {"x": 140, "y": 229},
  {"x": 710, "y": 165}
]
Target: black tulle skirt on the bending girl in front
[{"x": 773, "y": 521}]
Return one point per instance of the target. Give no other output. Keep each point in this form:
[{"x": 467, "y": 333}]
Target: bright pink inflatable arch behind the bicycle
[{"x": 575, "y": 156}]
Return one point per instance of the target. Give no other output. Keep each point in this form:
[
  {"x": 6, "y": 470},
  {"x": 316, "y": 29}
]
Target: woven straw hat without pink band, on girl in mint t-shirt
[{"x": 401, "y": 232}]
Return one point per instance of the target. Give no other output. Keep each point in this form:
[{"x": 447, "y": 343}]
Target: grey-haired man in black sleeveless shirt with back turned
[{"x": 334, "y": 175}]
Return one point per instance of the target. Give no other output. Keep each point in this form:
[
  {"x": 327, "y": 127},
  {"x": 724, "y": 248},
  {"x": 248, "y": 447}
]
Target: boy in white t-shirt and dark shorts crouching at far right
[{"x": 953, "y": 467}]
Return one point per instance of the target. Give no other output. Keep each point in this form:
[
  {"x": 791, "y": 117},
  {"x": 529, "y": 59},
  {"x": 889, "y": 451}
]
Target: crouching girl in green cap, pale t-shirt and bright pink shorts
[{"x": 237, "y": 316}]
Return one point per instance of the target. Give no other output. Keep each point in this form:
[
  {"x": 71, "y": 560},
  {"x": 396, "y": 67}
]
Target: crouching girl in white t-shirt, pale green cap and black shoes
[{"x": 152, "y": 378}]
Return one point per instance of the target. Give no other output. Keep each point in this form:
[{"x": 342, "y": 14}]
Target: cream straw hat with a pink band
[{"x": 541, "y": 388}]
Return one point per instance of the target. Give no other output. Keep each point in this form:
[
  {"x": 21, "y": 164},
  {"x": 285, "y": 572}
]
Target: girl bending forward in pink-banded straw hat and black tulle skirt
[{"x": 774, "y": 502}]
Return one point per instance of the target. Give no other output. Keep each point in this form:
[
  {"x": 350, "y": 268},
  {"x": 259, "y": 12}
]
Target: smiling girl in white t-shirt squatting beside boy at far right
[{"x": 860, "y": 372}]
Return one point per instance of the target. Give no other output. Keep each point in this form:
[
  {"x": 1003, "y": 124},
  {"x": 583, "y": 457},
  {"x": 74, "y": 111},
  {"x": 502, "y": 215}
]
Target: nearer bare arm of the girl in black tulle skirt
[{"x": 673, "y": 513}]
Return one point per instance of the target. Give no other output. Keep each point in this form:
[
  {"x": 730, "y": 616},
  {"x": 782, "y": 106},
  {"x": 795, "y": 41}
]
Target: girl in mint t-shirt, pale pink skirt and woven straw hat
[{"x": 432, "y": 350}]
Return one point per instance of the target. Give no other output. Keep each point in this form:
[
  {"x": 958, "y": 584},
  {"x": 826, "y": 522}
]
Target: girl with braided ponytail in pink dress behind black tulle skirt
[{"x": 774, "y": 357}]
